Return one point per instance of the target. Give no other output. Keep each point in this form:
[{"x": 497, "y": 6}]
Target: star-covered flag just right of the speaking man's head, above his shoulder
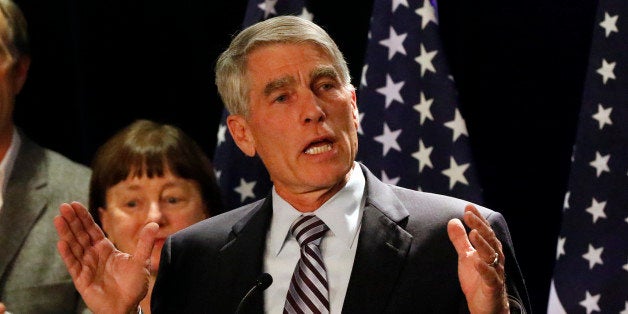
[{"x": 412, "y": 133}]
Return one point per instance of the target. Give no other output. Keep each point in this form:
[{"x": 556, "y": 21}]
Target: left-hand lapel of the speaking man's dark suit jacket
[{"x": 242, "y": 257}]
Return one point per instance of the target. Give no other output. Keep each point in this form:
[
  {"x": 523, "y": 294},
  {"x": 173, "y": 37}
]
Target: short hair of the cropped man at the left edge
[{"x": 17, "y": 30}]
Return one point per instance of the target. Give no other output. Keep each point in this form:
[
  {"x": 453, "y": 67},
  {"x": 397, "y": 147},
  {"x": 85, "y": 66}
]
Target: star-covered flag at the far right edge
[{"x": 591, "y": 270}]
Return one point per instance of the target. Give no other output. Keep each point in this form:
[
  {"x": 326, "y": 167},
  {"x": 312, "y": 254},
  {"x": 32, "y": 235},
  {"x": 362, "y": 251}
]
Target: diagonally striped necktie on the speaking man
[{"x": 308, "y": 292}]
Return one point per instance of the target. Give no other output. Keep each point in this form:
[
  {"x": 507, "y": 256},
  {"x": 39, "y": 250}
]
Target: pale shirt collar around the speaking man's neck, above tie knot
[{"x": 341, "y": 213}]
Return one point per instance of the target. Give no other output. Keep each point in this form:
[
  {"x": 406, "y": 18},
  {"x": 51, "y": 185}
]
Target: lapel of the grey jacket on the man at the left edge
[{"x": 24, "y": 201}]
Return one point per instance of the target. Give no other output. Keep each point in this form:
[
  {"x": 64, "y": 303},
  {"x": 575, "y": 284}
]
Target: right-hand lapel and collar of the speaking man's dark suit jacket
[{"x": 382, "y": 250}]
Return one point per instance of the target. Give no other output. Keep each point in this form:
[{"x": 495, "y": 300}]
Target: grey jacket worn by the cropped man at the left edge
[{"x": 33, "y": 278}]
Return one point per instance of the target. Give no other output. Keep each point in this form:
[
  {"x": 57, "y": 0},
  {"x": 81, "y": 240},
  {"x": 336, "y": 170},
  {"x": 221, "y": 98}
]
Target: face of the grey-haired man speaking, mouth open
[{"x": 302, "y": 120}]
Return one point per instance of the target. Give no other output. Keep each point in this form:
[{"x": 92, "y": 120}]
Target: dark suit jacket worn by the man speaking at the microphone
[{"x": 404, "y": 262}]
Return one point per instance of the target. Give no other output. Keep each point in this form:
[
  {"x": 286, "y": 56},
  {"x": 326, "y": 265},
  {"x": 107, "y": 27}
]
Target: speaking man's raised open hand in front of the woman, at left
[{"x": 110, "y": 281}]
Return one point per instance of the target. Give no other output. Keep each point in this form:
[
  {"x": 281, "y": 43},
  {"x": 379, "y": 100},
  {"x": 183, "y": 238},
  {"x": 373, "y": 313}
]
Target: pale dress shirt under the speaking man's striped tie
[{"x": 342, "y": 214}]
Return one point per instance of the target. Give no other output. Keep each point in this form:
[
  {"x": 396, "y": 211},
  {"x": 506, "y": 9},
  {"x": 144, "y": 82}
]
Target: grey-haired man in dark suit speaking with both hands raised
[{"x": 384, "y": 249}]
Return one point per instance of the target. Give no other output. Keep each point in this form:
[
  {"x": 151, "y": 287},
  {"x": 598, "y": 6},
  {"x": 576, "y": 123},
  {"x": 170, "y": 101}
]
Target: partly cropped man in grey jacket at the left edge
[{"x": 33, "y": 182}]
